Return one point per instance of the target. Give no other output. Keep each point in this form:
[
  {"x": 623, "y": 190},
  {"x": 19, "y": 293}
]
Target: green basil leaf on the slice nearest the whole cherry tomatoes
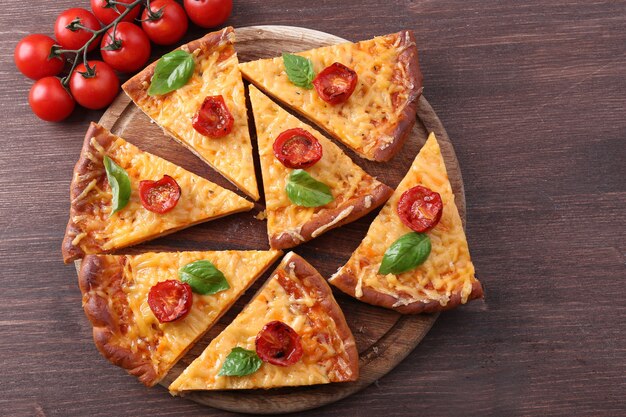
[{"x": 172, "y": 71}]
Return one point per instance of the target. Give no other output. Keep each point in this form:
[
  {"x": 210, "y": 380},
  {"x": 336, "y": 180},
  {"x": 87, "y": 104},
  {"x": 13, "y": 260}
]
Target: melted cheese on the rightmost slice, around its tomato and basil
[{"x": 447, "y": 270}]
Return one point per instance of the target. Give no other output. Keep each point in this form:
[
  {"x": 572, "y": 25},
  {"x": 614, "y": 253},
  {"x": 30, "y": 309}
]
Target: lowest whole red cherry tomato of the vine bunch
[{"x": 49, "y": 100}]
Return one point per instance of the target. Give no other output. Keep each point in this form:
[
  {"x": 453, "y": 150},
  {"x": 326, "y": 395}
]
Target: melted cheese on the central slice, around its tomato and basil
[{"x": 346, "y": 180}]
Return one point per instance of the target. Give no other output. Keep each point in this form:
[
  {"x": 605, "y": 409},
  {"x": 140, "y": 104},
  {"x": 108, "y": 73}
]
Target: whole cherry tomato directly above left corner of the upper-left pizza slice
[{"x": 133, "y": 47}]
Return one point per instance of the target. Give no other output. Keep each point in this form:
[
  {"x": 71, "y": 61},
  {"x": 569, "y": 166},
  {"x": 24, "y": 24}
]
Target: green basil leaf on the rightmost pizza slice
[{"x": 405, "y": 253}]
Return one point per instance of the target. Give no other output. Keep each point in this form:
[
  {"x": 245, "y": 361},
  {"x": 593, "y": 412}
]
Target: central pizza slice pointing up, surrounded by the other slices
[{"x": 310, "y": 185}]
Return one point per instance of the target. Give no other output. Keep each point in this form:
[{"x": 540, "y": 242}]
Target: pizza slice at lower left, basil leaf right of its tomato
[{"x": 148, "y": 310}]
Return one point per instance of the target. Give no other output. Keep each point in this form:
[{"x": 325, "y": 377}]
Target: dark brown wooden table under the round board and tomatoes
[{"x": 533, "y": 95}]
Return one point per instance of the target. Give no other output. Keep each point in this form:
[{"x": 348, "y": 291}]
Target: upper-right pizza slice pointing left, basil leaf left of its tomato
[{"x": 364, "y": 94}]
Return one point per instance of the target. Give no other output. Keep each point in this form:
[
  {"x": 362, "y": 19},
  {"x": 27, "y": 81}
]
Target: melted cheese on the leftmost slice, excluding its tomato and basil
[{"x": 200, "y": 200}]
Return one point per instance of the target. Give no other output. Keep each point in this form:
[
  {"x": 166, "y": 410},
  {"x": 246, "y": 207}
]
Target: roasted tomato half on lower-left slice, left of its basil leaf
[{"x": 170, "y": 300}]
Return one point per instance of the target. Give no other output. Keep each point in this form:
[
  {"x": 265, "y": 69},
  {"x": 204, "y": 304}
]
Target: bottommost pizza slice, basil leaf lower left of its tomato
[{"x": 291, "y": 333}]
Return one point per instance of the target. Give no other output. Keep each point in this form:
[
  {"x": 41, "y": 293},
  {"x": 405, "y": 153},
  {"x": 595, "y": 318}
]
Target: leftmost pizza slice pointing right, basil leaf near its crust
[{"x": 121, "y": 196}]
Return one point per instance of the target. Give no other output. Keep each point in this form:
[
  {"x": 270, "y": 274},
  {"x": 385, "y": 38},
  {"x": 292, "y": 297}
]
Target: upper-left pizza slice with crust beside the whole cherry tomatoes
[{"x": 207, "y": 114}]
